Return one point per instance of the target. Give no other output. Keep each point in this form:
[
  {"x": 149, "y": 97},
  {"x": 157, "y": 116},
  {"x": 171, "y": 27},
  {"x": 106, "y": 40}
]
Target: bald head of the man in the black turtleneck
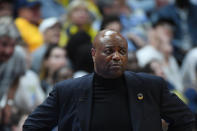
[{"x": 110, "y": 54}]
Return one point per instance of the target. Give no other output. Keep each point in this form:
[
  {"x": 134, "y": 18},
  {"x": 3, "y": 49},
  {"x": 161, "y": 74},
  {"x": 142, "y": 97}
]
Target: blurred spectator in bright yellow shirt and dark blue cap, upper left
[{"x": 27, "y": 21}]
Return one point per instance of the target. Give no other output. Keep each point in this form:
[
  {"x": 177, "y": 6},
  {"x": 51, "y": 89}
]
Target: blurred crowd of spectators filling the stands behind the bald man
[{"x": 45, "y": 41}]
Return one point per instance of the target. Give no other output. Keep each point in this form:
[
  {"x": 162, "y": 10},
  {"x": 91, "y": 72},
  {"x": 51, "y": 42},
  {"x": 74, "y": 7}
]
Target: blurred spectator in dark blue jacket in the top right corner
[{"x": 182, "y": 13}]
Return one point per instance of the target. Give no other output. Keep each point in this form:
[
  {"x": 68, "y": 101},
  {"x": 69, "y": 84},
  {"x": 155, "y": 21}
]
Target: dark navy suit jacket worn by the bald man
[{"x": 69, "y": 106}]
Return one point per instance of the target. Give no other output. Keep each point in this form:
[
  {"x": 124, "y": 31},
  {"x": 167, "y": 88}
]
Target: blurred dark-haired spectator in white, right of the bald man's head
[{"x": 161, "y": 45}]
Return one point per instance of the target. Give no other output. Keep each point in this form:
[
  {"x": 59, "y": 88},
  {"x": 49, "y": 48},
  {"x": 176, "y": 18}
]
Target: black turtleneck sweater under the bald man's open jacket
[{"x": 110, "y": 105}]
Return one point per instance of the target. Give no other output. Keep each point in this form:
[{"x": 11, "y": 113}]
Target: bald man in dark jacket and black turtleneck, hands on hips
[{"x": 111, "y": 99}]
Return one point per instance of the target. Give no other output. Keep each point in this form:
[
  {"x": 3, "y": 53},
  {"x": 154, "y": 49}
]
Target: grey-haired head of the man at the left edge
[{"x": 8, "y": 36}]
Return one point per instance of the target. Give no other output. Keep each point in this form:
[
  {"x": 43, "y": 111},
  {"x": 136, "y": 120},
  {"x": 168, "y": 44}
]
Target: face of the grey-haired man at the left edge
[{"x": 7, "y": 45}]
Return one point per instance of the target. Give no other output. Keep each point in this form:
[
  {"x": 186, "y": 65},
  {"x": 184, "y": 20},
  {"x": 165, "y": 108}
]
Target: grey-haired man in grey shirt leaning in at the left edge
[{"x": 12, "y": 67}]
